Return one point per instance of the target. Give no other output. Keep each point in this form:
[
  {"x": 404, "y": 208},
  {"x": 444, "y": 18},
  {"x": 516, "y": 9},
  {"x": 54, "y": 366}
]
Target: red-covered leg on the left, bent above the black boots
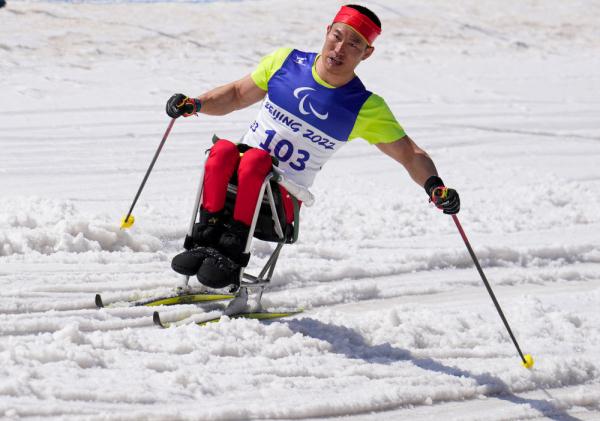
[{"x": 219, "y": 168}]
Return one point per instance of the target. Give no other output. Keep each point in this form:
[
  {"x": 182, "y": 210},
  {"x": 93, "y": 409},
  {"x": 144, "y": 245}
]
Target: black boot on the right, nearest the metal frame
[{"x": 220, "y": 271}]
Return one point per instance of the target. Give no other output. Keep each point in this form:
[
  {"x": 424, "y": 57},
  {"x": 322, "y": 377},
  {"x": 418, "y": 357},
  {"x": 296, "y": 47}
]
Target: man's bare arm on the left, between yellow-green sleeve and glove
[{"x": 231, "y": 97}]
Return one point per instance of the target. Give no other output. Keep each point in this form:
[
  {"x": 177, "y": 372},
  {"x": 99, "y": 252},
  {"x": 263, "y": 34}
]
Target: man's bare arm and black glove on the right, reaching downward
[{"x": 422, "y": 169}]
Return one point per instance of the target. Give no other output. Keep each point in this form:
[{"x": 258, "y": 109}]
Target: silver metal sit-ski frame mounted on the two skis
[{"x": 248, "y": 281}]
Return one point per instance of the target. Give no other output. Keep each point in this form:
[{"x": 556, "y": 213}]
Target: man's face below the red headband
[{"x": 344, "y": 49}]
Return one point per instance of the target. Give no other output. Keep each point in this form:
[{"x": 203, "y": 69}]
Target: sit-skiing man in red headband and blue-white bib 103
[{"x": 313, "y": 104}]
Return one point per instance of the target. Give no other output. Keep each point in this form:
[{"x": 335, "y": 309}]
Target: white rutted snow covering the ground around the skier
[{"x": 505, "y": 96}]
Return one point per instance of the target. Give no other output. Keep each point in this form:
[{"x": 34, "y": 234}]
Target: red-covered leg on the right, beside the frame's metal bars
[{"x": 254, "y": 167}]
